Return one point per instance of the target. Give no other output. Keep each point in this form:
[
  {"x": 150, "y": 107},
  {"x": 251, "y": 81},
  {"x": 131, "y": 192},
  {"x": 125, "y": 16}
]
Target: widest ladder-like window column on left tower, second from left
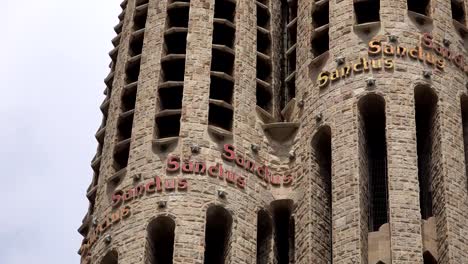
[{"x": 171, "y": 86}]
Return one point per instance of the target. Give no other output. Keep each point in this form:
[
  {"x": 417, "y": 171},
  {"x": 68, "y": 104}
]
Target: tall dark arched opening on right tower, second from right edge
[{"x": 426, "y": 108}]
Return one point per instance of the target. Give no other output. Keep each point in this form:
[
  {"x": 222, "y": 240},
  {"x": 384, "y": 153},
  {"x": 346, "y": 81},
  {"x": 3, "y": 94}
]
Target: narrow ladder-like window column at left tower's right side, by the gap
[{"x": 264, "y": 63}]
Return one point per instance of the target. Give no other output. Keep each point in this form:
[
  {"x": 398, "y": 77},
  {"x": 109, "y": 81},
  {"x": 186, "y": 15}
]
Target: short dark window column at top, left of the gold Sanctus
[{"x": 320, "y": 23}]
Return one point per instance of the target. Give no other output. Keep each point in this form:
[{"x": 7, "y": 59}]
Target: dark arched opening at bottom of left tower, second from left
[{"x": 160, "y": 244}]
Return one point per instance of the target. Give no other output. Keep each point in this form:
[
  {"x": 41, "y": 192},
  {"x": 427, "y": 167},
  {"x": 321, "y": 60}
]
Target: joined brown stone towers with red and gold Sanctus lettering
[{"x": 283, "y": 131}]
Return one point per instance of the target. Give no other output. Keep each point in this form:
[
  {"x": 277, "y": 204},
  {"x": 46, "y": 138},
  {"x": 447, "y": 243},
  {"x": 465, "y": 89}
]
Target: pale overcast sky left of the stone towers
[{"x": 52, "y": 65}]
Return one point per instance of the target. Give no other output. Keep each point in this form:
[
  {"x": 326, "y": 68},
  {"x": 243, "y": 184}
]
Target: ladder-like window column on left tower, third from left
[{"x": 221, "y": 110}]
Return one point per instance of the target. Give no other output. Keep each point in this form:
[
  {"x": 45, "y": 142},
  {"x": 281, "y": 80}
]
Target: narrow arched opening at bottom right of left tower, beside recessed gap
[{"x": 264, "y": 237}]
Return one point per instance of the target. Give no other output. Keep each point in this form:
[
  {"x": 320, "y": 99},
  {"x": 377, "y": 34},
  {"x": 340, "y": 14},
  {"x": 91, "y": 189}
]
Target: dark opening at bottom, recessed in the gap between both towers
[{"x": 284, "y": 231}]
